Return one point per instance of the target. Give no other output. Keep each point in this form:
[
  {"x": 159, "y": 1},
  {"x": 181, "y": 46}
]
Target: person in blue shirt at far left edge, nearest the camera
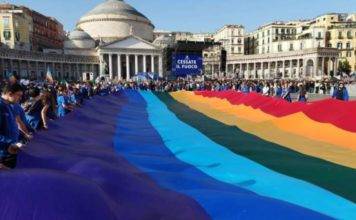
[{"x": 9, "y": 132}]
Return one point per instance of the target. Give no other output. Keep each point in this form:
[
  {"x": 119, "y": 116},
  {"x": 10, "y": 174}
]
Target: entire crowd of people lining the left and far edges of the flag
[{"x": 26, "y": 108}]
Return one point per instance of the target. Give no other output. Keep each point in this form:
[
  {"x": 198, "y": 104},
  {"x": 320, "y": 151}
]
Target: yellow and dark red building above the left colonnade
[{"x": 26, "y": 29}]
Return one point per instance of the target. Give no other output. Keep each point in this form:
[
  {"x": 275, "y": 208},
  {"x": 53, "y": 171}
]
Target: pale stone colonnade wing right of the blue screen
[{"x": 309, "y": 63}]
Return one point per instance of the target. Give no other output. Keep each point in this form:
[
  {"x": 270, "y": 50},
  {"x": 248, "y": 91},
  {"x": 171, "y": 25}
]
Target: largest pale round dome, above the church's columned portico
[{"x": 115, "y": 19}]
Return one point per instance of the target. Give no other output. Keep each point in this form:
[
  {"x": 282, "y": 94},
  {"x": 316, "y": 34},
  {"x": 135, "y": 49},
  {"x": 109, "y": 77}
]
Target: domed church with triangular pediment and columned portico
[{"x": 121, "y": 37}]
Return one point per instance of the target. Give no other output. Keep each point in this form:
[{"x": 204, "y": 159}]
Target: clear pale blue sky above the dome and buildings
[{"x": 199, "y": 16}]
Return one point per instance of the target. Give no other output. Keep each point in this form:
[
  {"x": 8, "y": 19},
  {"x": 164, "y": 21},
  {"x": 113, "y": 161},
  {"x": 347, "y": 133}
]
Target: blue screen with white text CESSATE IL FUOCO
[{"x": 186, "y": 64}]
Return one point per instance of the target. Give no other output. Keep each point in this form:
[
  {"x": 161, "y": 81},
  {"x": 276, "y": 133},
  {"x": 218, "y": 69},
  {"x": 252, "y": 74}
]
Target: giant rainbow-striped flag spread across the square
[{"x": 189, "y": 155}]
